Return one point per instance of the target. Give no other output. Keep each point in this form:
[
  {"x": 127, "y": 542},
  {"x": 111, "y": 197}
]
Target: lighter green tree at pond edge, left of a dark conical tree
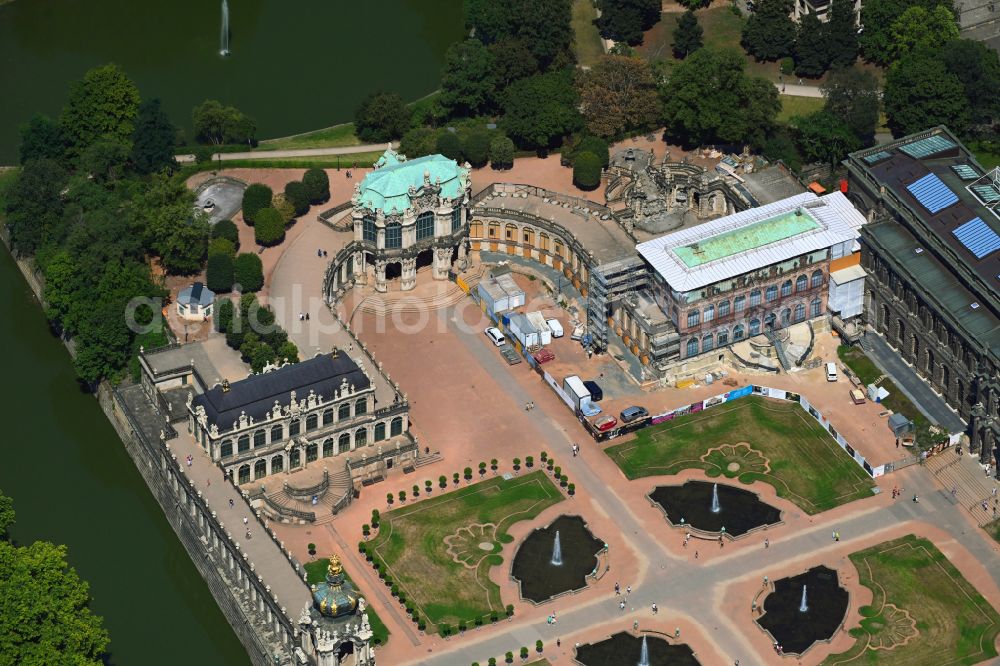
[{"x": 103, "y": 105}]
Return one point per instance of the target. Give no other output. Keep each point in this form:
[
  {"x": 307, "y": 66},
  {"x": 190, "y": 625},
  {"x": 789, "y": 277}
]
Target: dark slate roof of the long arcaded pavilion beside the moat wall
[{"x": 257, "y": 394}]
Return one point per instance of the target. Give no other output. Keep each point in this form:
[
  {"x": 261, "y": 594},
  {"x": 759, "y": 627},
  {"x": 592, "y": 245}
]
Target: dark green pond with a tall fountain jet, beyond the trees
[{"x": 295, "y": 66}]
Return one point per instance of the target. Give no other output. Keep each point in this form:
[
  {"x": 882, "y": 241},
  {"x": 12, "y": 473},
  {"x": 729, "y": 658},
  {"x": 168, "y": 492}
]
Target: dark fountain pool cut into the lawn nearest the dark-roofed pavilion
[{"x": 556, "y": 559}]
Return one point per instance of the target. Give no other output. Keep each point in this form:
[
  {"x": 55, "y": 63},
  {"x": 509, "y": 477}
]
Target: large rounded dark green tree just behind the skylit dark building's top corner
[{"x": 920, "y": 93}]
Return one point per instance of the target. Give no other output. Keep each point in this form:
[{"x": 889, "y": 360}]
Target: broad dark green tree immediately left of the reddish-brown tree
[{"x": 541, "y": 109}]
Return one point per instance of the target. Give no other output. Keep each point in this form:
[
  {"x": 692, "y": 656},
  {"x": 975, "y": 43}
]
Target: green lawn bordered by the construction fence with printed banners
[{"x": 788, "y": 449}]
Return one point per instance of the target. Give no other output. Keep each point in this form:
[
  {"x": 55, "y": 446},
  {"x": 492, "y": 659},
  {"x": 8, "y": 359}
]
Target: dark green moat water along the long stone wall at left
[{"x": 74, "y": 484}]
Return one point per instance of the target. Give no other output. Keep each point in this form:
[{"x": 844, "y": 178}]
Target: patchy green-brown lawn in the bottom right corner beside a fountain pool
[{"x": 952, "y": 622}]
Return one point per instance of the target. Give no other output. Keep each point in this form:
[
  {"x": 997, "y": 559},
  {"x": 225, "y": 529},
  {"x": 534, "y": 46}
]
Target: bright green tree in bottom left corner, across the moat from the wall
[{"x": 45, "y": 615}]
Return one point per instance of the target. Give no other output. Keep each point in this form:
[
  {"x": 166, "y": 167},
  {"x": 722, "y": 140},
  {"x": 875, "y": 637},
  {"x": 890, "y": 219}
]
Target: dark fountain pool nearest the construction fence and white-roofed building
[{"x": 710, "y": 507}]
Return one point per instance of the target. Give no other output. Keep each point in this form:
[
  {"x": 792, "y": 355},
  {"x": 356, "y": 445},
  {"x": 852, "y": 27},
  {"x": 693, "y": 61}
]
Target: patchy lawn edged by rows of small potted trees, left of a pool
[{"x": 411, "y": 545}]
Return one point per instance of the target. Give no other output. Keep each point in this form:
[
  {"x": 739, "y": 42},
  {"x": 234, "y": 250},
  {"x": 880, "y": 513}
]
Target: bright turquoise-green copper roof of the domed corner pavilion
[{"x": 388, "y": 186}]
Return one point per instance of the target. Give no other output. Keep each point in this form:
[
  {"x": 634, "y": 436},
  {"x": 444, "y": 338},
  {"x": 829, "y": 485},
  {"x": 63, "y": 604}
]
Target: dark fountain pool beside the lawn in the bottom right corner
[{"x": 804, "y": 609}]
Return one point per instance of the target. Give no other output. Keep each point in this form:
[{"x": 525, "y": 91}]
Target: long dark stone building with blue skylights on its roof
[{"x": 932, "y": 252}]
